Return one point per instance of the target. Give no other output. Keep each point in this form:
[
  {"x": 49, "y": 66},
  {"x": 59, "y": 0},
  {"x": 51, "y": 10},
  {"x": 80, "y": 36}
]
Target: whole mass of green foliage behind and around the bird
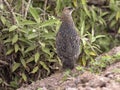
[{"x": 28, "y": 29}]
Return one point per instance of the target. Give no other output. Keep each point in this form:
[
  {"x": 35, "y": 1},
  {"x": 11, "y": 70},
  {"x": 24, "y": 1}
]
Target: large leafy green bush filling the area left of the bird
[{"x": 29, "y": 47}]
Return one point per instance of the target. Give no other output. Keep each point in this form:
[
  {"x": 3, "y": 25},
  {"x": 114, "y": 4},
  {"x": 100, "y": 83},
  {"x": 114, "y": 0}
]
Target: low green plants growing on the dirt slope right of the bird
[{"x": 102, "y": 62}]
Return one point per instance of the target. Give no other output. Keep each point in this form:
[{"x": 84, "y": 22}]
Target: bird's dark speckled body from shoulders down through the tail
[{"x": 67, "y": 44}]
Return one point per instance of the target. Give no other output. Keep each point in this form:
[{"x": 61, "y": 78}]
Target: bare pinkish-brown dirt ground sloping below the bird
[{"x": 107, "y": 80}]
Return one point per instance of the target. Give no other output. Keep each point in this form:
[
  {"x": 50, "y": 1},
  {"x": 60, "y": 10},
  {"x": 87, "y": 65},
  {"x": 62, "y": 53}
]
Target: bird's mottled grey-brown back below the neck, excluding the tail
[{"x": 67, "y": 41}]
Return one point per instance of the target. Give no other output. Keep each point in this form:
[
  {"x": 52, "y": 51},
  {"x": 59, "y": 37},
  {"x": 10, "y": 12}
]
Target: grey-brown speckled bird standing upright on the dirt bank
[{"x": 67, "y": 40}]
